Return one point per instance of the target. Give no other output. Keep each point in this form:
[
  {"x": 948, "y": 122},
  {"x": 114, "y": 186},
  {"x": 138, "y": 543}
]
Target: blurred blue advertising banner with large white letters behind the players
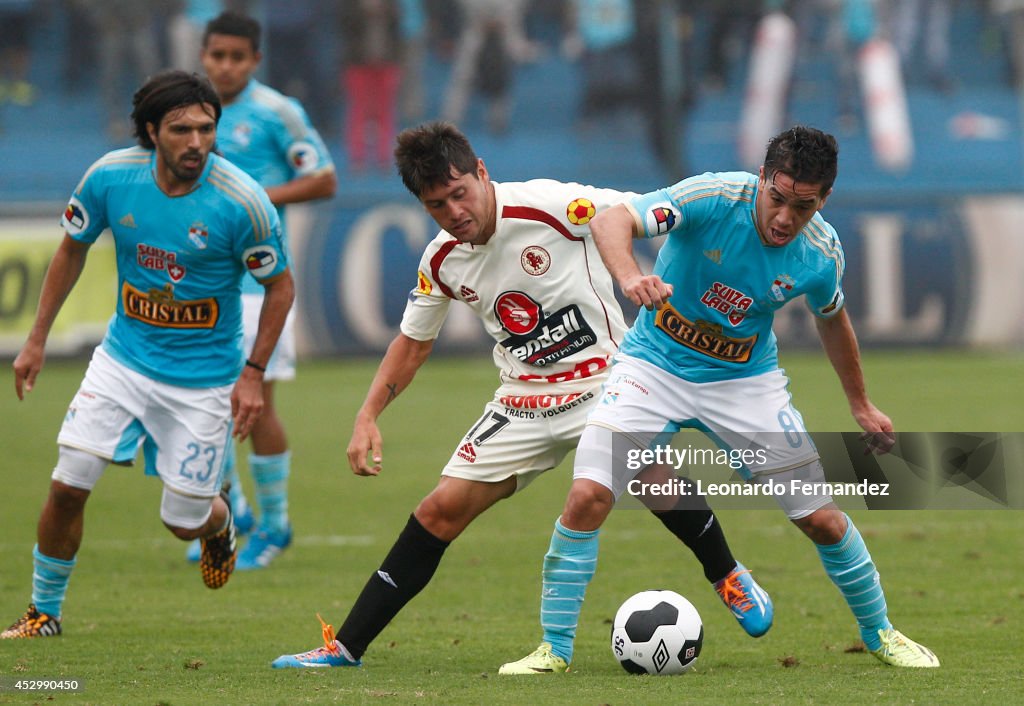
[{"x": 916, "y": 275}]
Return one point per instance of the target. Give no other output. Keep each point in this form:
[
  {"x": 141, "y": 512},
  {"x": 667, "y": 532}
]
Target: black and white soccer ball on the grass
[{"x": 657, "y": 633}]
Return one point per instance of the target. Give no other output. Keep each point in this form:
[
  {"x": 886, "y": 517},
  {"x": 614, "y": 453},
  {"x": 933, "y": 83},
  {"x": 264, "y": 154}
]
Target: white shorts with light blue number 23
[{"x": 184, "y": 432}]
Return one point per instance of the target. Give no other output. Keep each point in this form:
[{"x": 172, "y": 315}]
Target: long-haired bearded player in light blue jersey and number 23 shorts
[{"x": 169, "y": 376}]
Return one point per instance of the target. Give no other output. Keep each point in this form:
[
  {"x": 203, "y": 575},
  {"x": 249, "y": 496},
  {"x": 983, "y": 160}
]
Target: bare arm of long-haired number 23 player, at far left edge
[{"x": 63, "y": 273}]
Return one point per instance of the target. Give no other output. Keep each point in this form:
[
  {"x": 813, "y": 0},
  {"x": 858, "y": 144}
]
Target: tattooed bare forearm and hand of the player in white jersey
[{"x": 398, "y": 368}]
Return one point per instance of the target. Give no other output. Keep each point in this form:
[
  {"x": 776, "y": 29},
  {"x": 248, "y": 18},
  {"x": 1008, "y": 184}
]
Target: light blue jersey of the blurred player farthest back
[{"x": 270, "y": 137}]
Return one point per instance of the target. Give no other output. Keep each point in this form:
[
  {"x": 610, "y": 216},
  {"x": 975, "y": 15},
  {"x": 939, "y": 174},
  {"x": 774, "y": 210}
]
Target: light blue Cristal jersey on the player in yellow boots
[{"x": 728, "y": 285}]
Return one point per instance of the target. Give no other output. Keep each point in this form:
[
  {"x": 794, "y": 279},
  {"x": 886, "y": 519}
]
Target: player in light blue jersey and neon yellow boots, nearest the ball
[{"x": 703, "y": 355}]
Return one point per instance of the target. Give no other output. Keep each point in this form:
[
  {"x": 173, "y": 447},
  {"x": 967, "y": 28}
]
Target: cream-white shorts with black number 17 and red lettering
[{"x": 522, "y": 436}]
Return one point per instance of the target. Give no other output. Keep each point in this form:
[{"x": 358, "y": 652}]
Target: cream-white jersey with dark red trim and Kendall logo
[{"x": 539, "y": 286}]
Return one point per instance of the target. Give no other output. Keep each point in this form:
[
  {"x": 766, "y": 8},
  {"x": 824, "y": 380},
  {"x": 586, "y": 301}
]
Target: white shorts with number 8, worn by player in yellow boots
[{"x": 752, "y": 417}]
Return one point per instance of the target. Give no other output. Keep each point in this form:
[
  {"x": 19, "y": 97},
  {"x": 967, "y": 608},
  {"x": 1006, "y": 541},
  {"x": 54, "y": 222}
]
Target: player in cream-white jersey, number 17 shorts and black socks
[{"x": 521, "y": 257}]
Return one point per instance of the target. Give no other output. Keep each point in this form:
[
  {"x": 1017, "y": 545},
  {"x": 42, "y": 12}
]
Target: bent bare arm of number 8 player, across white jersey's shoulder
[{"x": 614, "y": 231}]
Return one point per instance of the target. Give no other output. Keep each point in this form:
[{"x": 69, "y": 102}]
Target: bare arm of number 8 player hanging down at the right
[{"x": 840, "y": 344}]
